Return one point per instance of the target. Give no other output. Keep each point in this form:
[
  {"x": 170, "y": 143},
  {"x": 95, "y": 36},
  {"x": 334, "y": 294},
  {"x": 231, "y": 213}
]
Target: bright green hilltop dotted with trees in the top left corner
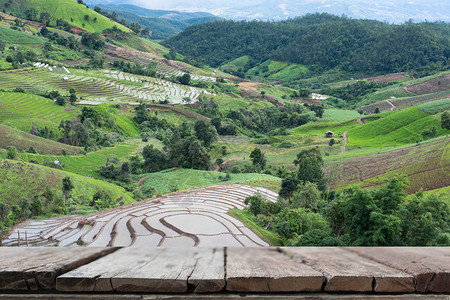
[{"x": 71, "y": 11}]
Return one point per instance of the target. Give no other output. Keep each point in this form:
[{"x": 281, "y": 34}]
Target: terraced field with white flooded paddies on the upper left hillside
[{"x": 112, "y": 87}]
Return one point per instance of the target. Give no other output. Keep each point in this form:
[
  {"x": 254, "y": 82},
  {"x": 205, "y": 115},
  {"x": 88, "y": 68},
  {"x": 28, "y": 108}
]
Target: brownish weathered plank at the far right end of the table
[{"x": 430, "y": 267}]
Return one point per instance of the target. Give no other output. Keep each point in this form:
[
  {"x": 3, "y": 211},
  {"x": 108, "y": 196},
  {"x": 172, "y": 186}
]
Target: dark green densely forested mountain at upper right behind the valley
[{"x": 321, "y": 41}]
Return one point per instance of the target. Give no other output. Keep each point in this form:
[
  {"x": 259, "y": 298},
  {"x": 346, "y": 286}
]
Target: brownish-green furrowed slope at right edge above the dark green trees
[{"x": 426, "y": 165}]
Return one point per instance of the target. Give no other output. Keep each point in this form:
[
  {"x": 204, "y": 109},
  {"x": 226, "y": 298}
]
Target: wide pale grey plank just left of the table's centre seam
[{"x": 159, "y": 270}]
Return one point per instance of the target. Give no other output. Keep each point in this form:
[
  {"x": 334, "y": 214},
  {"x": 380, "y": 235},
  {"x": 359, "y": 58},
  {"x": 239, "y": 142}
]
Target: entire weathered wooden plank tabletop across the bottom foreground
[{"x": 228, "y": 271}]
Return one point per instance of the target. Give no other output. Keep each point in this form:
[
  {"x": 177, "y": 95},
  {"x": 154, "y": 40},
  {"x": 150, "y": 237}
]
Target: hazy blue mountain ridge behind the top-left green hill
[{"x": 162, "y": 23}]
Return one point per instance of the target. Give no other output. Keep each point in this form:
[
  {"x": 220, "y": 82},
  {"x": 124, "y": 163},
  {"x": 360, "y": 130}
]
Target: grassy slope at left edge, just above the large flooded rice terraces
[{"x": 19, "y": 179}]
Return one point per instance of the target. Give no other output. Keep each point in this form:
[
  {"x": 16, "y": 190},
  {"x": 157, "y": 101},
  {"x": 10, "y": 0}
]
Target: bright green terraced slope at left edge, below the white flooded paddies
[{"x": 19, "y": 111}]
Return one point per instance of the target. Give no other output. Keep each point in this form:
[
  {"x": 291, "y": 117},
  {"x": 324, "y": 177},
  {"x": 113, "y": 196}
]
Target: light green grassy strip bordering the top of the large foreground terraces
[{"x": 184, "y": 179}]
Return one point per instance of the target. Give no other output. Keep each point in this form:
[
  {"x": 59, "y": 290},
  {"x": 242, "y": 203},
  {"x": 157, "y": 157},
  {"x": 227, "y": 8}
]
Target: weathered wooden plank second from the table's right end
[{"x": 349, "y": 272}]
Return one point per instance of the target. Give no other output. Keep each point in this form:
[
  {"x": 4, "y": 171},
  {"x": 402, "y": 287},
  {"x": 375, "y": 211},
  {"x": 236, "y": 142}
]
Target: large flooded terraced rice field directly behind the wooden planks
[{"x": 187, "y": 219}]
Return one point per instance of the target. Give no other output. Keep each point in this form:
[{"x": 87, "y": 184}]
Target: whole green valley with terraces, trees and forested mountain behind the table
[{"x": 246, "y": 134}]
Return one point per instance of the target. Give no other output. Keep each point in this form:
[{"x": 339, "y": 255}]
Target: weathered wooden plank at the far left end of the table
[{"x": 37, "y": 268}]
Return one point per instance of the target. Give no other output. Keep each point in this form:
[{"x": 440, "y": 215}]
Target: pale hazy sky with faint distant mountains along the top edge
[{"x": 389, "y": 11}]
